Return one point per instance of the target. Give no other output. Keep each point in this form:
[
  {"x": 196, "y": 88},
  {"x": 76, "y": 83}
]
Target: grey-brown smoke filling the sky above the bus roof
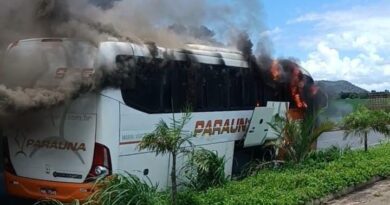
[{"x": 169, "y": 23}]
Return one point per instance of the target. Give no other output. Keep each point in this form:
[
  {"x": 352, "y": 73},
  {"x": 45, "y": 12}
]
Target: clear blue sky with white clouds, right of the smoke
[{"x": 333, "y": 39}]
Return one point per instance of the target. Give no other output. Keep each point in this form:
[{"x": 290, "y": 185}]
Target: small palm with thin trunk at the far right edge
[{"x": 362, "y": 121}]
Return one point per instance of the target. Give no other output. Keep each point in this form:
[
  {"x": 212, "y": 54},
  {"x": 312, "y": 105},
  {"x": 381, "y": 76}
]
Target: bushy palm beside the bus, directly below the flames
[{"x": 298, "y": 136}]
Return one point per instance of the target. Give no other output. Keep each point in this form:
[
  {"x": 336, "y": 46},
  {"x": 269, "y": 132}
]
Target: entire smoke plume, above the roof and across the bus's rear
[{"x": 169, "y": 23}]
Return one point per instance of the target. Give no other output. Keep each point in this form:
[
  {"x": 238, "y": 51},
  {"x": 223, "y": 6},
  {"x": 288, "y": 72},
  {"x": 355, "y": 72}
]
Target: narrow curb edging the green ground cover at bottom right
[{"x": 345, "y": 191}]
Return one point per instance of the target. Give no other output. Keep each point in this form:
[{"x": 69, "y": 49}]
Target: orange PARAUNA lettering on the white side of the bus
[{"x": 219, "y": 127}]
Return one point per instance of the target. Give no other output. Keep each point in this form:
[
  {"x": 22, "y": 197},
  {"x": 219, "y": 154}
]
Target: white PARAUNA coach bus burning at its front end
[{"x": 59, "y": 151}]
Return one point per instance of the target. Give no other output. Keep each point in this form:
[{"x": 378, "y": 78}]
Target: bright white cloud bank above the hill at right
[{"x": 351, "y": 44}]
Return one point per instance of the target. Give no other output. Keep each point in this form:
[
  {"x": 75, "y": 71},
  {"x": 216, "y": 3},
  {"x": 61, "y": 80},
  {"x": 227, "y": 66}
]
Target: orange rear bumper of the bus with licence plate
[{"x": 41, "y": 189}]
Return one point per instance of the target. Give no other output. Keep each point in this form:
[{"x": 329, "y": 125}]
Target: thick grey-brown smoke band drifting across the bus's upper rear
[{"x": 44, "y": 94}]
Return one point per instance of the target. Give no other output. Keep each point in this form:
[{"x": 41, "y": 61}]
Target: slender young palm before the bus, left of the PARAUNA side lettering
[{"x": 169, "y": 139}]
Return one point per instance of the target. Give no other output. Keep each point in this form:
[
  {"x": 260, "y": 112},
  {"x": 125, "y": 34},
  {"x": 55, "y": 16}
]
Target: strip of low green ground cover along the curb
[{"x": 296, "y": 184}]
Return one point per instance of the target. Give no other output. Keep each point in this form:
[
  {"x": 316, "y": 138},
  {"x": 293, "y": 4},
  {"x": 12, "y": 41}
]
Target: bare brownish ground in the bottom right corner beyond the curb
[{"x": 378, "y": 194}]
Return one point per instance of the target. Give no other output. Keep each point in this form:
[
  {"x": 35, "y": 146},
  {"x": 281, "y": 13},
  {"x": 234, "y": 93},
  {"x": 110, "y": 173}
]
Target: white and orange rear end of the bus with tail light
[{"x": 52, "y": 153}]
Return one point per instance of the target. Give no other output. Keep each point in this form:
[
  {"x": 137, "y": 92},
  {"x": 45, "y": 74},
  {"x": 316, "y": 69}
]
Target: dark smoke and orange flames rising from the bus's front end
[{"x": 284, "y": 76}]
